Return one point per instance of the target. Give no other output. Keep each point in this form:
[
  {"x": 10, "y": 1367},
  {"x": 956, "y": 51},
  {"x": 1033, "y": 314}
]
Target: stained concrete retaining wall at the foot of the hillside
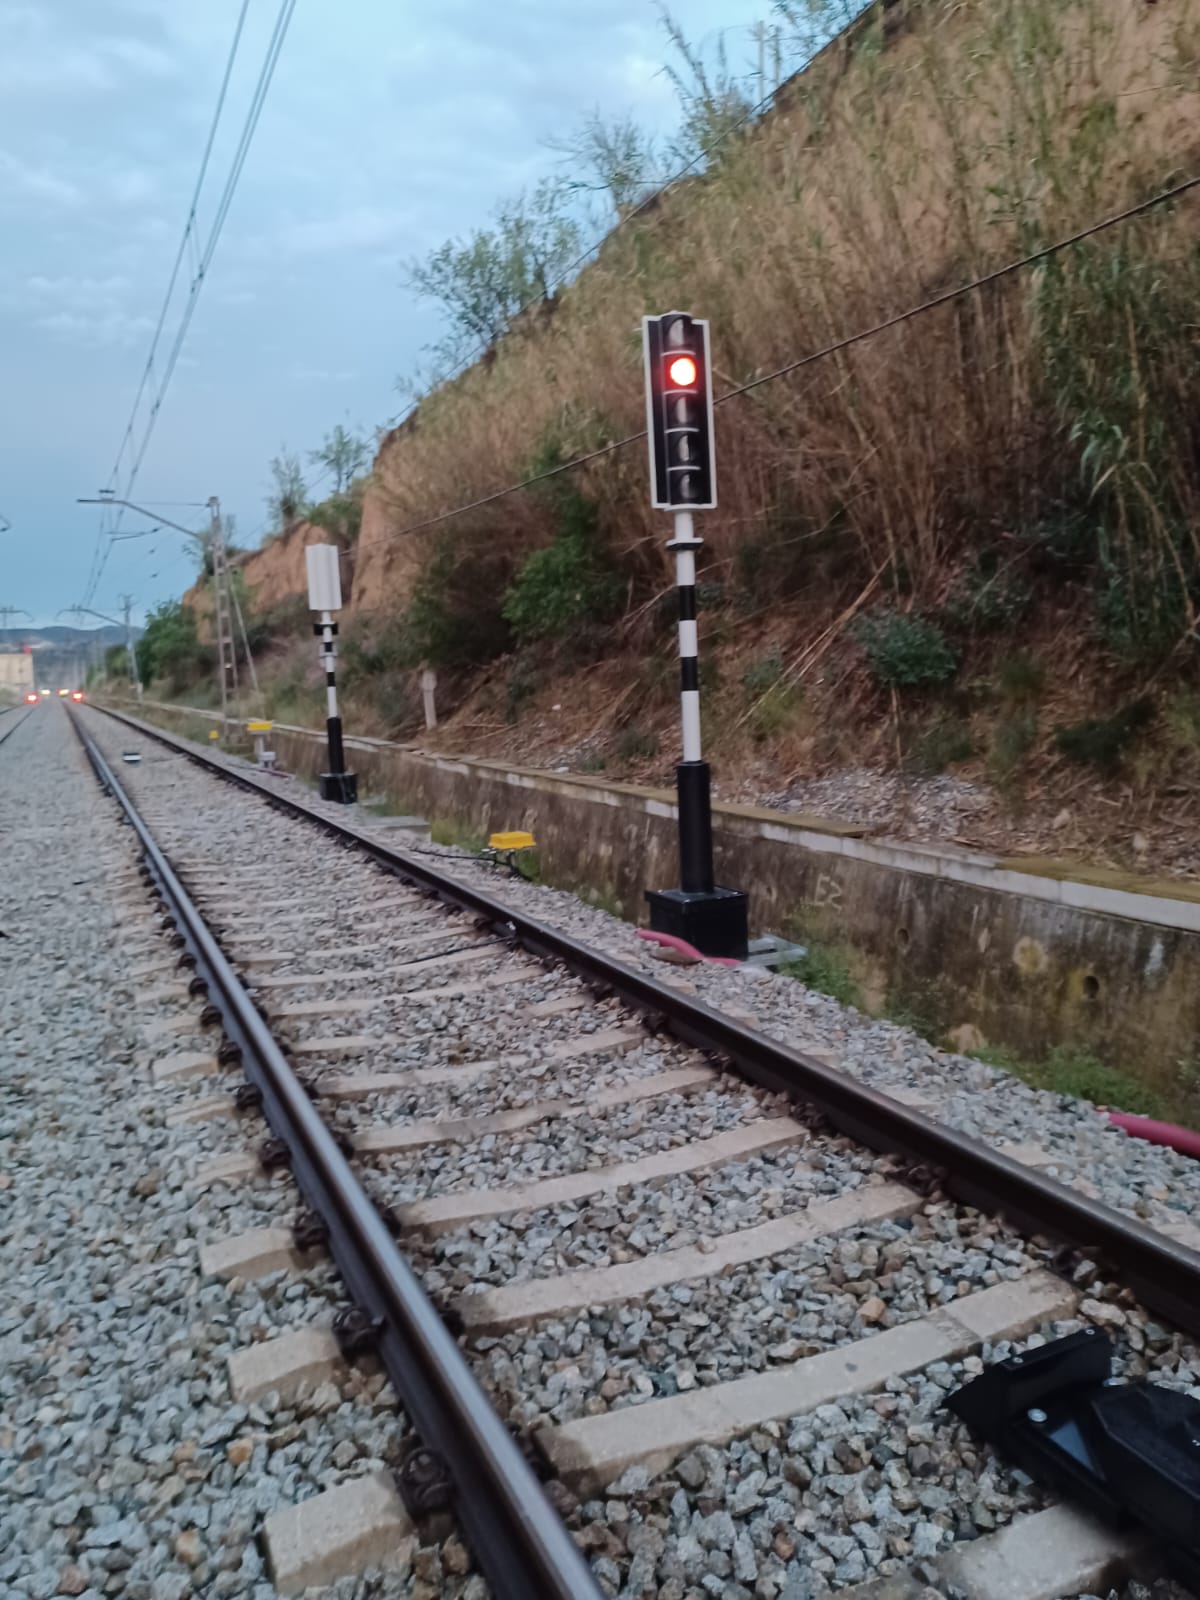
[{"x": 1028, "y": 954}]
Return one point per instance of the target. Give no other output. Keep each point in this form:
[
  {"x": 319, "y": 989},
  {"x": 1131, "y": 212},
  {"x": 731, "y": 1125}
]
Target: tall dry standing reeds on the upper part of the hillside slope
[{"x": 927, "y": 146}]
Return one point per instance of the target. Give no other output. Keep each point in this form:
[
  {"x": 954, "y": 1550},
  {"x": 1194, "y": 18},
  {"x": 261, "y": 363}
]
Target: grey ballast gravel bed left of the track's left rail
[{"x": 126, "y": 1466}]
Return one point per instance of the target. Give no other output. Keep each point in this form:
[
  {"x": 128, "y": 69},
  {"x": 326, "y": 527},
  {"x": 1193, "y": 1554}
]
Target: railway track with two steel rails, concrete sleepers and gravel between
[{"x": 716, "y": 1286}]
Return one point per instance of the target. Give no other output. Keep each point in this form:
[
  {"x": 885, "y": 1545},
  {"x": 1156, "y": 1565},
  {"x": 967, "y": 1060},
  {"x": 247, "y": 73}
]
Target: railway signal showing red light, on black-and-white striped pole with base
[{"x": 684, "y": 481}]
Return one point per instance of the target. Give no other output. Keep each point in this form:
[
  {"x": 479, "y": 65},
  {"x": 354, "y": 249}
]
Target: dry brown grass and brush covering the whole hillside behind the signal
[{"x": 1065, "y": 399}]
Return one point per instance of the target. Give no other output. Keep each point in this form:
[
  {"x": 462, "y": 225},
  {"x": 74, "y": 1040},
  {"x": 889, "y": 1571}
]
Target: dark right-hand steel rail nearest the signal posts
[{"x": 1164, "y": 1273}]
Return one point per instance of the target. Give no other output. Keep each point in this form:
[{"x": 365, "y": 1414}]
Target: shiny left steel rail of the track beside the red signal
[{"x": 521, "y": 1543}]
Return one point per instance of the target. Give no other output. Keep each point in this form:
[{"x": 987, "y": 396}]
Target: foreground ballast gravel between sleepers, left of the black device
[{"x": 863, "y": 1489}]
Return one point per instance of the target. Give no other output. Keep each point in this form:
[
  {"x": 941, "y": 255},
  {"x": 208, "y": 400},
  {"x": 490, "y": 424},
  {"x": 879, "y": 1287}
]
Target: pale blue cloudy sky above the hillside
[{"x": 391, "y": 126}]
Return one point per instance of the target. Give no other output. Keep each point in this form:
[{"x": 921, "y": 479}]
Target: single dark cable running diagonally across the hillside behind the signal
[{"x": 1164, "y": 198}]
